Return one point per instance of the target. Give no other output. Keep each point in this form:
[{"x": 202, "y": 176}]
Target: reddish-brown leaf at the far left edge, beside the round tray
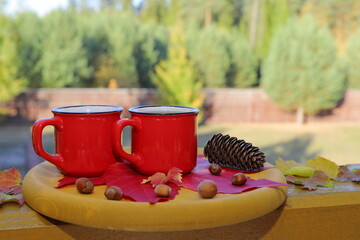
[{"x": 10, "y": 181}]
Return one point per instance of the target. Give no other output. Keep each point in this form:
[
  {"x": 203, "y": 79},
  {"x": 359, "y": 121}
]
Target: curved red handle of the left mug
[{"x": 37, "y": 130}]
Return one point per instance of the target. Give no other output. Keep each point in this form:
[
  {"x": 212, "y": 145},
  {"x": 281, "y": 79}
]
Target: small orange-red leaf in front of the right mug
[{"x": 173, "y": 176}]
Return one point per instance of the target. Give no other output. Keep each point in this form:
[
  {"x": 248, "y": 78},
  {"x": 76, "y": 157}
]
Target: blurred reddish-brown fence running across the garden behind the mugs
[{"x": 220, "y": 106}]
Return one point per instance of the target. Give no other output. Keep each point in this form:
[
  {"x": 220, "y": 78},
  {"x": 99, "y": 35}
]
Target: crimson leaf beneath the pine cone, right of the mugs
[{"x": 223, "y": 181}]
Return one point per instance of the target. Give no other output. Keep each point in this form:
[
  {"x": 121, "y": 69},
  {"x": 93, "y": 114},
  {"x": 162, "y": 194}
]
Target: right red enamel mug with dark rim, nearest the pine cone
[{"x": 163, "y": 137}]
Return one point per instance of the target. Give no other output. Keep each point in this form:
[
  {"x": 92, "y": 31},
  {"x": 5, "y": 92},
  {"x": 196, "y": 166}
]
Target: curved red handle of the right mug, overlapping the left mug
[{"x": 119, "y": 126}]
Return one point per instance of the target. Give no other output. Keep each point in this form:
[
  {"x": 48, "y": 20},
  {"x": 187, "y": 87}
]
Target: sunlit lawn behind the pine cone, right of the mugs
[{"x": 337, "y": 142}]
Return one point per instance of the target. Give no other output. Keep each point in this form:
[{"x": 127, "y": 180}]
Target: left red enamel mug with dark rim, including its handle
[{"x": 83, "y": 136}]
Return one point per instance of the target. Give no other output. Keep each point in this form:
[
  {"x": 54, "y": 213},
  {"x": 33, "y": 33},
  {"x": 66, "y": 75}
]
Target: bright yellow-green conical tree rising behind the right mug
[{"x": 176, "y": 77}]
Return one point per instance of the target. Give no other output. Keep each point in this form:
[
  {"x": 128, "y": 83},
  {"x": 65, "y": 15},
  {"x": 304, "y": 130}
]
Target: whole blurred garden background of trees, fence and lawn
[{"x": 301, "y": 56}]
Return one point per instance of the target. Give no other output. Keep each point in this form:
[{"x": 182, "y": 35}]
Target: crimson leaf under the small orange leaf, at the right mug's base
[{"x": 123, "y": 176}]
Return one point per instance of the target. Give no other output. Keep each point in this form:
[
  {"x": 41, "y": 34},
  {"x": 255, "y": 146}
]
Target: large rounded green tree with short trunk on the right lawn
[{"x": 301, "y": 71}]
